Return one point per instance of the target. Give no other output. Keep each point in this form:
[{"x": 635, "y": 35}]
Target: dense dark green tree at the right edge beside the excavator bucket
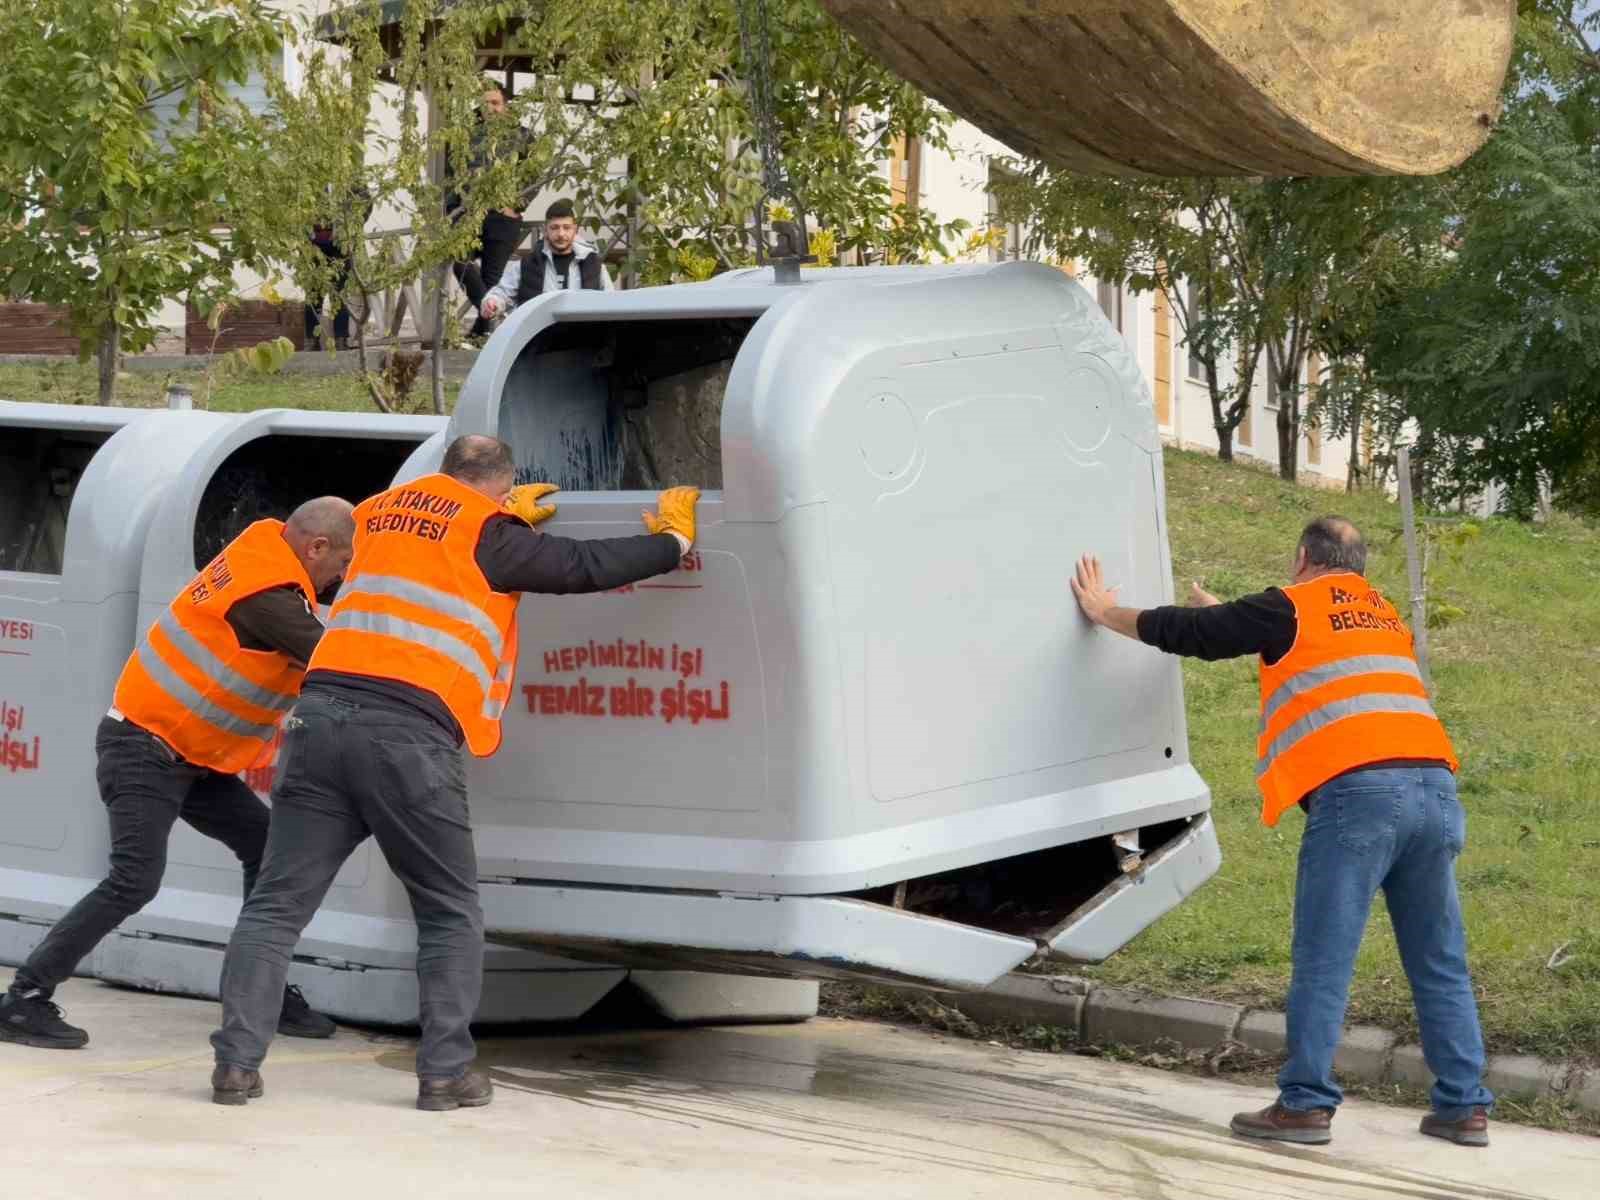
[{"x": 1494, "y": 351}]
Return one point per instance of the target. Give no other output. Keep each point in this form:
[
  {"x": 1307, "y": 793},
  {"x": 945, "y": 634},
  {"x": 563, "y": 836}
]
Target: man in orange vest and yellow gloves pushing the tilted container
[{"x": 418, "y": 662}]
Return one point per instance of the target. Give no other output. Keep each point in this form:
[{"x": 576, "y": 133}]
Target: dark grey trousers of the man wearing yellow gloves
[{"x": 348, "y": 770}]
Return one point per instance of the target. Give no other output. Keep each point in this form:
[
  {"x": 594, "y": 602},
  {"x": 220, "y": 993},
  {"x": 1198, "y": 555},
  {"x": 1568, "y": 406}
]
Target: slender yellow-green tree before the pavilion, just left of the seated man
[{"x": 375, "y": 124}]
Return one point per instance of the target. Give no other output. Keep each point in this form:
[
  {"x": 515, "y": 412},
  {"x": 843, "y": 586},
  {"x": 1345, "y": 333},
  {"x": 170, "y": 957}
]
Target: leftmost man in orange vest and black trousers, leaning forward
[{"x": 148, "y": 782}]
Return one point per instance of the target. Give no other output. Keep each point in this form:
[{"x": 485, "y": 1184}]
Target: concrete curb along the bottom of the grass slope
[{"x": 1367, "y": 1054}]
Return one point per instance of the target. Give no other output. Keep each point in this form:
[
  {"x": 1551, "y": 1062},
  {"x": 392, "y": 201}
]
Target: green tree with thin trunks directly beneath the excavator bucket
[{"x": 1282, "y": 268}]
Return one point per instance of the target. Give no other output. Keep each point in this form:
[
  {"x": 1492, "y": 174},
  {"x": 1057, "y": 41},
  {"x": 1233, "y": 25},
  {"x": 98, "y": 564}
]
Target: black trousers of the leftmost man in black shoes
[{"x": 146, "y": 788}]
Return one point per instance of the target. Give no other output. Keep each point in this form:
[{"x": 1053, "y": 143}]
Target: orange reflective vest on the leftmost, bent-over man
[{"x": 191, "y": 684}]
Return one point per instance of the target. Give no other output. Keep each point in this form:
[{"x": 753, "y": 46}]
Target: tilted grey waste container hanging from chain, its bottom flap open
[{"x": 863, "y": 730}]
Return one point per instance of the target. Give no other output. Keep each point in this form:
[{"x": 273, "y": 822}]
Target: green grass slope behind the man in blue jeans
[{"x": 1516, "y": 686}]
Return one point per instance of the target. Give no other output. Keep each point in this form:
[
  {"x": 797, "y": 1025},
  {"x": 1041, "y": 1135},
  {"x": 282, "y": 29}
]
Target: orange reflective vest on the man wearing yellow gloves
[{"x": 417, "y": 609}]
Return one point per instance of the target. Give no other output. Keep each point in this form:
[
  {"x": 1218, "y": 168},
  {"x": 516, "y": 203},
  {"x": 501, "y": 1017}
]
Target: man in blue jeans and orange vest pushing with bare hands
[{"x": 1348, "y": 735}]
